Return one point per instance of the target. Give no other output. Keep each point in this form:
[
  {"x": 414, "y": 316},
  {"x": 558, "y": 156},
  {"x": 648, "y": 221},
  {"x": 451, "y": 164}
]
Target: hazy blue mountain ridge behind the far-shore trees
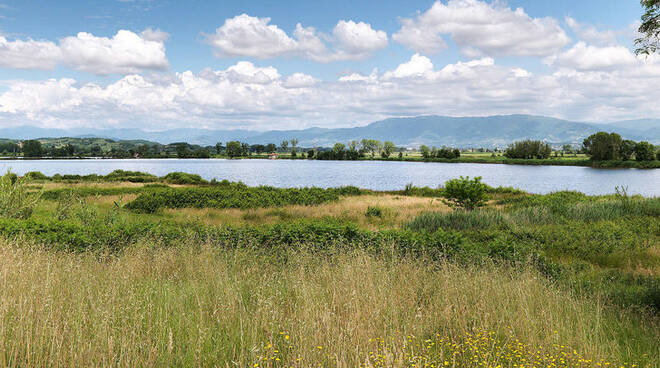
[{"x": 490, "y": 131}]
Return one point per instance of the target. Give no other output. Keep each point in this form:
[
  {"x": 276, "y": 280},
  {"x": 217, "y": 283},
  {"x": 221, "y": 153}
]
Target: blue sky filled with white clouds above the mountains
[{"x": 263, "y": 65}]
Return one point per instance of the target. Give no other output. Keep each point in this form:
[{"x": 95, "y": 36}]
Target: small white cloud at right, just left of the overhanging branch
[{"x": 587, "y": 57}]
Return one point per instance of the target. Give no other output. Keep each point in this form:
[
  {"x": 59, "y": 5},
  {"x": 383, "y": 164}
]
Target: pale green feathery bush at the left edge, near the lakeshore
[{"x": 15, "y": 199}]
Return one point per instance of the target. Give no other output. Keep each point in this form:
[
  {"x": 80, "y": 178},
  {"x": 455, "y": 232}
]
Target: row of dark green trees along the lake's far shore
[{"x": 601, "y": 146}]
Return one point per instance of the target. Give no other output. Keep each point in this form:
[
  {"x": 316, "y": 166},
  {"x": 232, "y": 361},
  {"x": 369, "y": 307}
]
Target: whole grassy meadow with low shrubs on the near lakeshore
[{"x": 130, "y": 269}]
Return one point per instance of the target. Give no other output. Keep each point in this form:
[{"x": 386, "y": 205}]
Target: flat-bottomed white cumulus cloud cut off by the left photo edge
[{"x": 126, "y": 52}]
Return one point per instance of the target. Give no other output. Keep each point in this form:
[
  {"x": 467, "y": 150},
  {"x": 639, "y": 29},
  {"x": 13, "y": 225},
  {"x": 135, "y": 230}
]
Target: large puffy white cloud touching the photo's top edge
[{"x": 481, "y": 28}]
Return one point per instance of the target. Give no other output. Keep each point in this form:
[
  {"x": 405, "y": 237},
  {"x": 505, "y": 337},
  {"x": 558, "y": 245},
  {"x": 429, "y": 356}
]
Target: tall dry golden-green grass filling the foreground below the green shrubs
[{"x": 199, "y": 306}]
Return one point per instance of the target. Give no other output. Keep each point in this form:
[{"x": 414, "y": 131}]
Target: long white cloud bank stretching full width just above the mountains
[{"x": 246, "y": 95}]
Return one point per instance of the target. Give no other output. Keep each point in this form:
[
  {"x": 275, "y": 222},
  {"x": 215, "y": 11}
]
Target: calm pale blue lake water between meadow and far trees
[{"x": 377, "y": 175}]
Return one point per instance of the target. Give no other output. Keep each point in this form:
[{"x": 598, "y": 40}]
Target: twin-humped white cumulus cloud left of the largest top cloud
[{"x": 249, "y": 36}]
